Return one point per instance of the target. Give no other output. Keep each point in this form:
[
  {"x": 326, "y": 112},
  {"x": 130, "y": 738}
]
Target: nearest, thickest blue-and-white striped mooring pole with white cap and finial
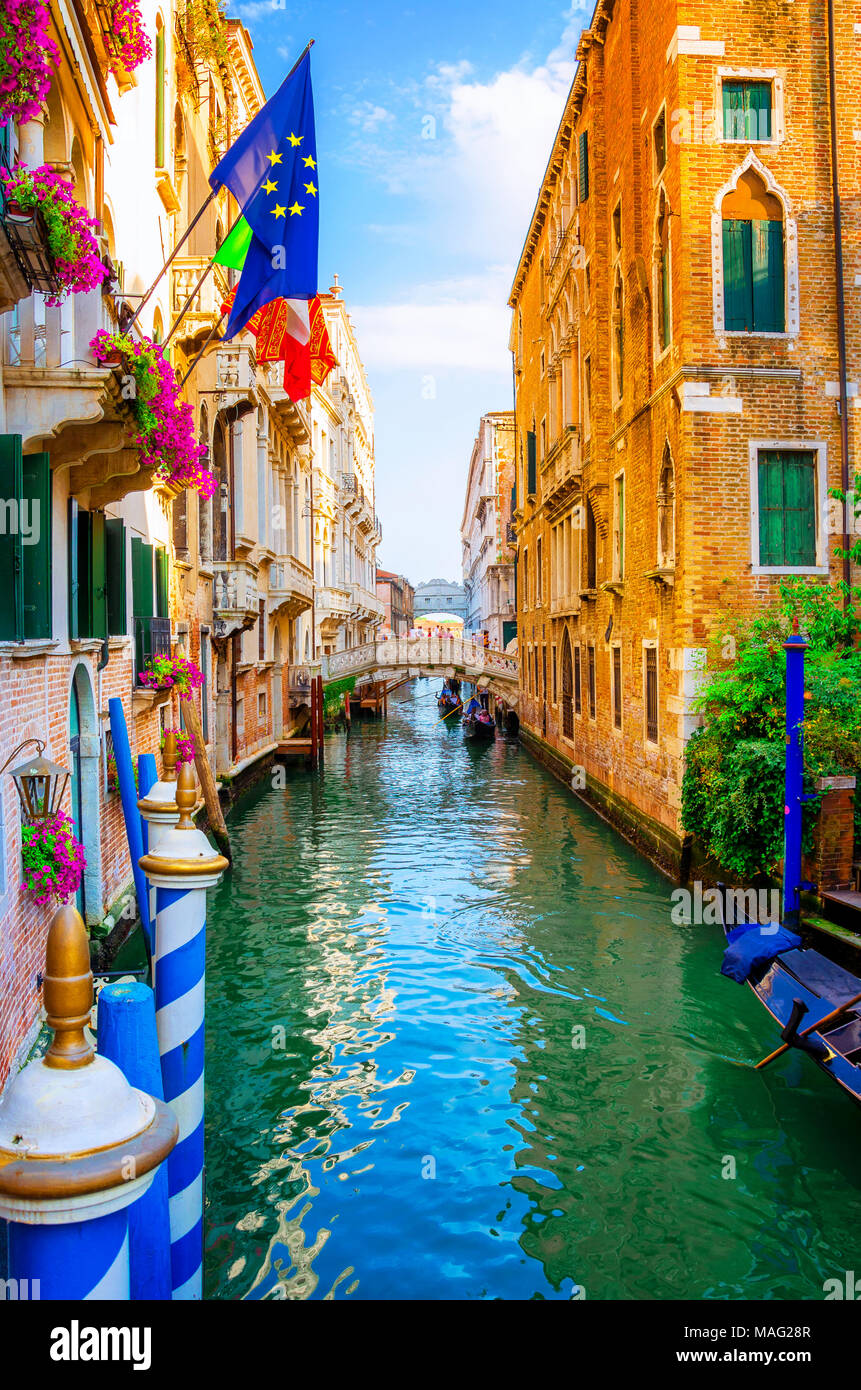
[{"x": 79, "y": 1145}]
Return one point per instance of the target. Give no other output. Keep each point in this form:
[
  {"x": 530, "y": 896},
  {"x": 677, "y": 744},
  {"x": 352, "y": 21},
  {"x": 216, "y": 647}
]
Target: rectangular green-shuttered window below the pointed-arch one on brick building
[{"x": 788, "y": 509}]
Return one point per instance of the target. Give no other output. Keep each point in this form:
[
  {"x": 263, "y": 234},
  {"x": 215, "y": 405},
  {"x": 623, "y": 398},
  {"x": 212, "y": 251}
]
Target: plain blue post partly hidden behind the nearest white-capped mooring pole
[{"x": 127, "y": 1038}]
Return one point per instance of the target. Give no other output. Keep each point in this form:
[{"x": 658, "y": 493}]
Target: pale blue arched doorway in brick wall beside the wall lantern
[{"x": 84, "y": 783}]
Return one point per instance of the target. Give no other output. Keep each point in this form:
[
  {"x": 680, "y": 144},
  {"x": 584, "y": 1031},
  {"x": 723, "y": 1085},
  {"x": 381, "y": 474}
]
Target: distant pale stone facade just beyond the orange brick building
[{"x": 486, "y": 532}]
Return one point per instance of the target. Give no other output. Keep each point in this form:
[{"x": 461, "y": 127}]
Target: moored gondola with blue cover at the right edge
[{"x": 802, "y": 988}]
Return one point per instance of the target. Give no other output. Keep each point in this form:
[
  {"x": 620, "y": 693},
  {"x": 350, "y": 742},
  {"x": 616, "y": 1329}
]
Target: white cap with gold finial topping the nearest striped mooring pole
[{"x": 77, "y": 1140}]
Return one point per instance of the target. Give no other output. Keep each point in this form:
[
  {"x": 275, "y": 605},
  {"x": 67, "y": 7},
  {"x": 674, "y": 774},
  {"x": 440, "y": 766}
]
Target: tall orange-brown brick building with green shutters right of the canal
[{"x": 679, "y": 387}]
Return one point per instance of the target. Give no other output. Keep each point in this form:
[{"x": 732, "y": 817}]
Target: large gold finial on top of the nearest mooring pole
[{"x": 69, "y": 990}]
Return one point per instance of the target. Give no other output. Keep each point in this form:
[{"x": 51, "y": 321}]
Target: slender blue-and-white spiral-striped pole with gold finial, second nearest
[{"x": 182, "y": 868}]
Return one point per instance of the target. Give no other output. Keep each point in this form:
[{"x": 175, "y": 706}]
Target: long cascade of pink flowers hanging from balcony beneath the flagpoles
[{"x": 168, "y": 429}]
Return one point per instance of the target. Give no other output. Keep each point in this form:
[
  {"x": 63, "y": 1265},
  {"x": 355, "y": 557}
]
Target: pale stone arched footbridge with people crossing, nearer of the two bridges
[{"x": 440, "y": 657}]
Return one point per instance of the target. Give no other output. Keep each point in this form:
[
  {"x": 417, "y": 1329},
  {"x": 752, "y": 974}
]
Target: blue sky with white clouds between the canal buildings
[{"x": 435, "y": 126}]
